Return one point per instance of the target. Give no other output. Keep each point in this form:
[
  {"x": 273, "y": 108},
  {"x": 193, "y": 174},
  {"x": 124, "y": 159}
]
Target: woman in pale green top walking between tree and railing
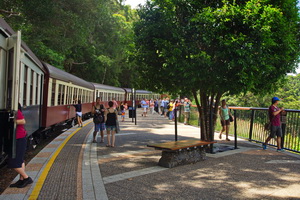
[{"x": 225, "y": 114}]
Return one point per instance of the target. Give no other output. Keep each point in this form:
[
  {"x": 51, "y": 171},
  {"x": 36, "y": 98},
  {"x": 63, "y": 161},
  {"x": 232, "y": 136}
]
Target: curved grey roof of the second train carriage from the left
[{"x": 67, "y": 77}]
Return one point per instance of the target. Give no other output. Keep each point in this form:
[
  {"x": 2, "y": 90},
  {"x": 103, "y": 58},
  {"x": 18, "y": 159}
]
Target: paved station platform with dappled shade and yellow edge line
[{"x": 72, "y": 167}]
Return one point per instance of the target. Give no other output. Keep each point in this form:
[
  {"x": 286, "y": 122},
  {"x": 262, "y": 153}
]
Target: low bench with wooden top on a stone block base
[{"x": 181, "y": 152}]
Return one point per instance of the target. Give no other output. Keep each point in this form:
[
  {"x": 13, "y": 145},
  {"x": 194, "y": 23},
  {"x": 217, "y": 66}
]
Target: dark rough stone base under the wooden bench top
[{"x": 171, "y": 159}]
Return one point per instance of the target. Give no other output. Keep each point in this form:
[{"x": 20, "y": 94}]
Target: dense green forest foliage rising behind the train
[{"x": 91, "y": 39}]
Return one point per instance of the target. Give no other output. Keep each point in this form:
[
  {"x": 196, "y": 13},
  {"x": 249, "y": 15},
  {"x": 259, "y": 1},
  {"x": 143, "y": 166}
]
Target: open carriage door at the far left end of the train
[{"x": 12, "y": 91}]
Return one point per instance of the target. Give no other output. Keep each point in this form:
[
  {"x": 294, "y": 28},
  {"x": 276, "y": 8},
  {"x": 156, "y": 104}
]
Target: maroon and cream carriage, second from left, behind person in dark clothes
[{"x": 61, "y": 88}]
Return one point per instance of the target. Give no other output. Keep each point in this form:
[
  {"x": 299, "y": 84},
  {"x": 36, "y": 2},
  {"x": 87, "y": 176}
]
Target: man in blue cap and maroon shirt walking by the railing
[{"x": 275, "y": 130}]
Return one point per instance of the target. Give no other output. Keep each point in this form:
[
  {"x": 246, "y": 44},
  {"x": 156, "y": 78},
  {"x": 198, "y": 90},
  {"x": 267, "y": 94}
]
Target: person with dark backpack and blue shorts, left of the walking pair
[{"x": 99, "y": 120}]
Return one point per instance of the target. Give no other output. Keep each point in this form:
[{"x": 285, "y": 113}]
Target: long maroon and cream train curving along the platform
[{"x": 45, "y": 92}]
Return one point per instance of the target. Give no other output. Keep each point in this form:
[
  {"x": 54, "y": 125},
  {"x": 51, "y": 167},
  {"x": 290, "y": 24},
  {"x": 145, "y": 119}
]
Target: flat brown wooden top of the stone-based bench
[{"x": 182, "y": 144}]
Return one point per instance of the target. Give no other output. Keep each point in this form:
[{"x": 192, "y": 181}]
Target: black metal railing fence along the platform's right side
[{"x": 250, "y": 125}]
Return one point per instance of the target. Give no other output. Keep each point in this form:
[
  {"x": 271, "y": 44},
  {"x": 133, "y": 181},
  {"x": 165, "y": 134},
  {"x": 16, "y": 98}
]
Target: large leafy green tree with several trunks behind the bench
[{"x": 217, "y": 46}]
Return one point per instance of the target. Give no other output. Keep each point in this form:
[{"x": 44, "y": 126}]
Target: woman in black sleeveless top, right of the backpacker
[{"x": 111, "y": 116}]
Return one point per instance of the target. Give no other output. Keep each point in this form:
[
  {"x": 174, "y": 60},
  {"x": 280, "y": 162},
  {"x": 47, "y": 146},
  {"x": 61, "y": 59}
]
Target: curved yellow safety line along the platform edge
[{"x": 37, "y": 189}]
